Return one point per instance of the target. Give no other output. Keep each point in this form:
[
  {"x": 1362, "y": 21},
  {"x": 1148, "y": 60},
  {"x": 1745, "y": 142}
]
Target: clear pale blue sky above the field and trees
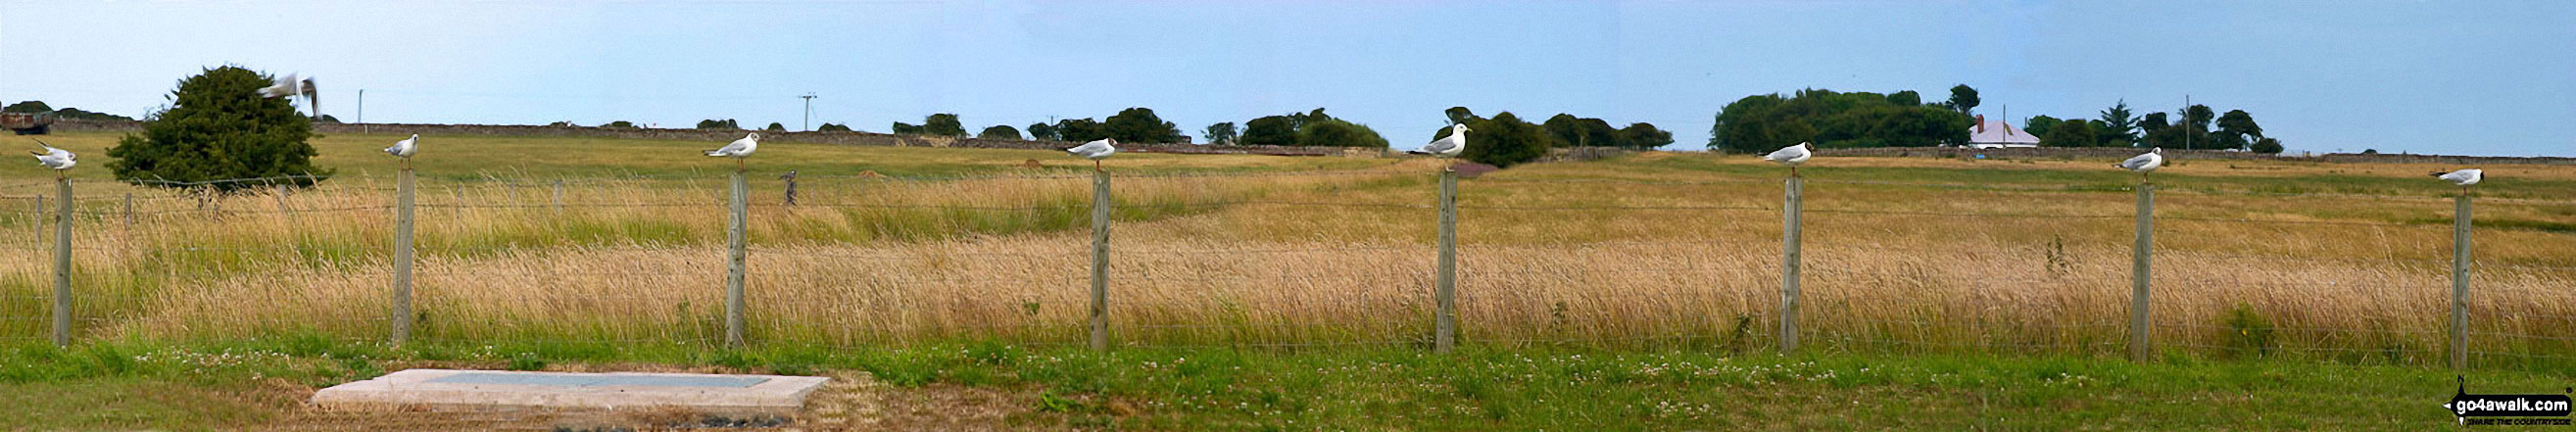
[{"x": 2456, "y": 78}]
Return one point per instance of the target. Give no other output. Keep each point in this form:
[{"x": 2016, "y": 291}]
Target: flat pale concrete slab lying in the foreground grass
[{"x": 506, "y": 390}]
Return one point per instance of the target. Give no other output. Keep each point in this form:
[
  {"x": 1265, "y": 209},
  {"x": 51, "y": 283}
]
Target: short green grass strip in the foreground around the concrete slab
[{"x": 259, "y": 384}]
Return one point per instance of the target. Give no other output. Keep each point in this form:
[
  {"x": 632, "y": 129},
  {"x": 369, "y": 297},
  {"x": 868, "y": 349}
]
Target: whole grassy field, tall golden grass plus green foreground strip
[{"x": 1294, "y": 292}]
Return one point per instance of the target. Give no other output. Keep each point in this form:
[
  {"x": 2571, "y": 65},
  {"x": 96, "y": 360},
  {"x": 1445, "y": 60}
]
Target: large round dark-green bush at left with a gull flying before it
[{"x": 218, "y": 127}]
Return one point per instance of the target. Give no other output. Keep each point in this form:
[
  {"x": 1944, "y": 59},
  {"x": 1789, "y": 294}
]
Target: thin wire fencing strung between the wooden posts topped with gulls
[{"x": 1292, "y": 261}]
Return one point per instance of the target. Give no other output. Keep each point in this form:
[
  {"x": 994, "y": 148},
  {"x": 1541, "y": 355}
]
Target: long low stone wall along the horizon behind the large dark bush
[{"x": 728, "y": 135}]
